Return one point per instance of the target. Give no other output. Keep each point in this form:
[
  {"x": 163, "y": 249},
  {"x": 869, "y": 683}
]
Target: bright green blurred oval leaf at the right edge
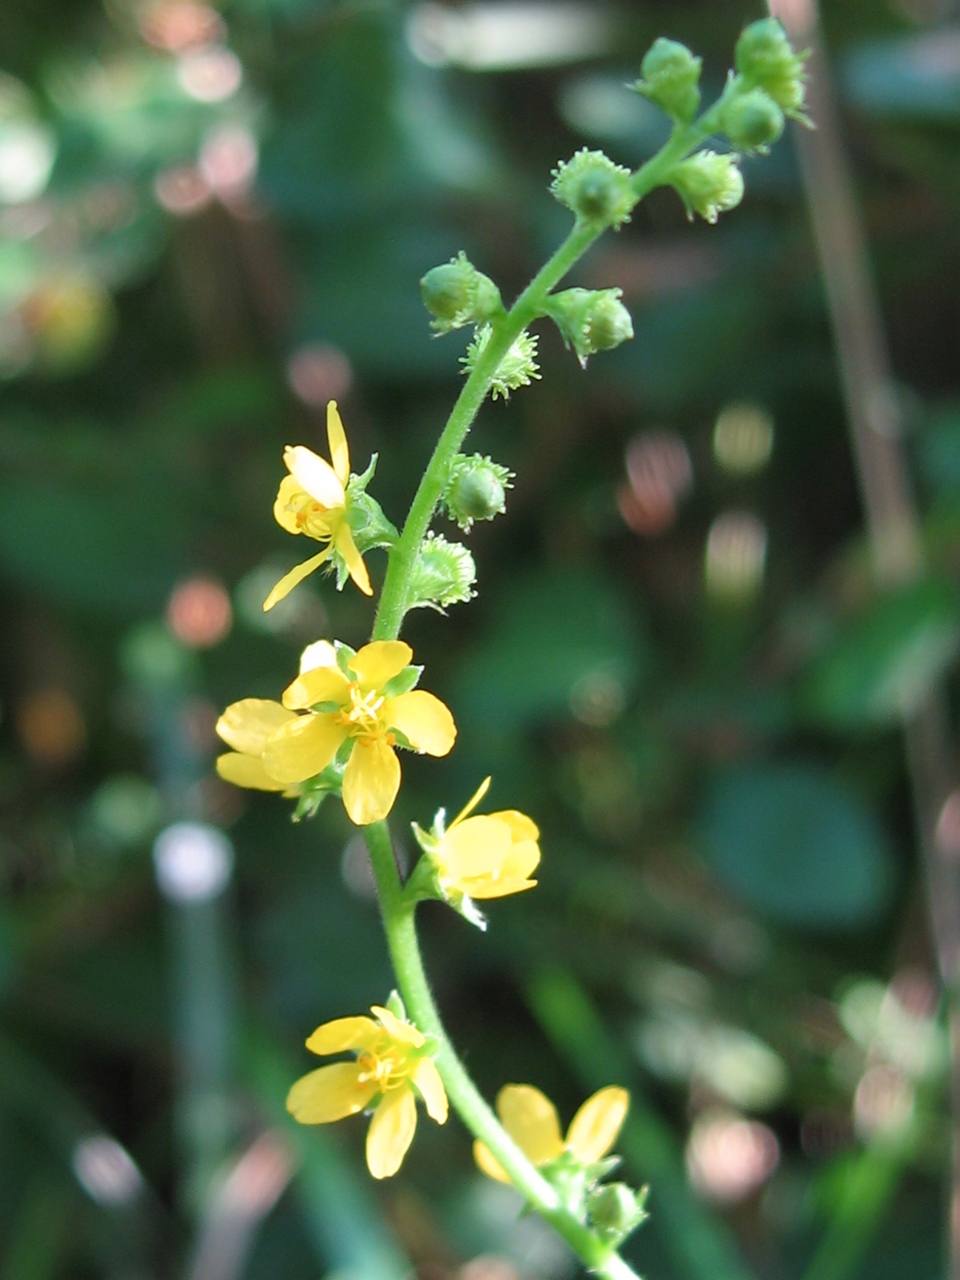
[{"x": 883, "y": 666}]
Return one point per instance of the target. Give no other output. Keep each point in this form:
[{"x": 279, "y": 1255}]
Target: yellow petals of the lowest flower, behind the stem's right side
[{"x": 532, "y": 1122}]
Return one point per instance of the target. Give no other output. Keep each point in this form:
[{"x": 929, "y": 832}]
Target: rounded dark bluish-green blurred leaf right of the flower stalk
[{"x": 797, "y": 845}]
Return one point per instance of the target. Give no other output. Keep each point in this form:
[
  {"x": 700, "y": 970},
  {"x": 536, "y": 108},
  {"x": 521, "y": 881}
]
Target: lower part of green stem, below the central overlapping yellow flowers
[{"x": 470, "y": 1105}]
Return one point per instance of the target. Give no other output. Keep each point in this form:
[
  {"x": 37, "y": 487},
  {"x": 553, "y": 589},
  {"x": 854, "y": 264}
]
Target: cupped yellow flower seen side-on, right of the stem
[{"x": 488, "y": 856}]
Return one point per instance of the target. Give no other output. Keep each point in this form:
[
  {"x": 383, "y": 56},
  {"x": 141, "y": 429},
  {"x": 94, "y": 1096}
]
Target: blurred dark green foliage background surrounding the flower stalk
[{"x": 214, "y": 221}]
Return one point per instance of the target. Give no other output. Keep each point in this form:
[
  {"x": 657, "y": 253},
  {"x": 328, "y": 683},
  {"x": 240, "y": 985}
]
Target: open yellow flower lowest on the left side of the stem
[{"x": 392, "y": 1067}]
